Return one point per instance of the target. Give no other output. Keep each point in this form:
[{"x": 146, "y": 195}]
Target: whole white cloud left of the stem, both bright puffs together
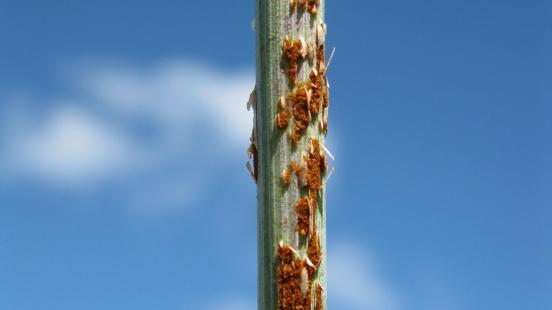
[{"x": 89, "y": 132}]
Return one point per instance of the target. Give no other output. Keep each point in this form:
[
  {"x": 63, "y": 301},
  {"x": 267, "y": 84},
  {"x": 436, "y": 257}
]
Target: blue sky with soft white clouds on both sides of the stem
[{"x": 123, "y": 132}]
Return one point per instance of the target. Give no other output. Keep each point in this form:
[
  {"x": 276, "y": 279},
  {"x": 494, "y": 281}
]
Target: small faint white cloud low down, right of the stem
[{"x": 355, "y": 280}]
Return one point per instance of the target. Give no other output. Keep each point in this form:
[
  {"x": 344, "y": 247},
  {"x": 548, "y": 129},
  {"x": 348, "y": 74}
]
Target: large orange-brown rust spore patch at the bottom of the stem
[{"x": 290, "y": 295}]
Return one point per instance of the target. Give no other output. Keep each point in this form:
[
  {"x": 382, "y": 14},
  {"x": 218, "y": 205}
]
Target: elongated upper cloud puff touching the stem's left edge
[{"x": 175, "y": 94}]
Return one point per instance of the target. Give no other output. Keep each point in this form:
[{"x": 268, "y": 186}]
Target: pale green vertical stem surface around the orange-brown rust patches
[{"x": 276, "y": 216}]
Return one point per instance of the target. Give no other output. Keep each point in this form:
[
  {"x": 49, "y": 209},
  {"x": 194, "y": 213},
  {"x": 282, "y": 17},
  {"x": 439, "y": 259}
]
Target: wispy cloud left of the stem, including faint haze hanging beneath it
[{"x": 161, "y": 128}]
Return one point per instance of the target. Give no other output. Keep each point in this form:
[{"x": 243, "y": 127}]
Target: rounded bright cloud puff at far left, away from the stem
[{"x": 69, "y": 146}]
